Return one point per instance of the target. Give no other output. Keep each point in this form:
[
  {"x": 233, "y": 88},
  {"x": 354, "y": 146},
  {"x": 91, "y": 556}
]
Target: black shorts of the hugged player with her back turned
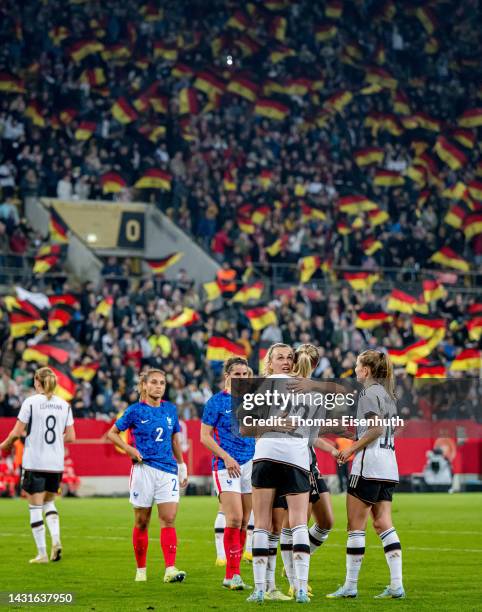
[{"x": 286, "y": 479}]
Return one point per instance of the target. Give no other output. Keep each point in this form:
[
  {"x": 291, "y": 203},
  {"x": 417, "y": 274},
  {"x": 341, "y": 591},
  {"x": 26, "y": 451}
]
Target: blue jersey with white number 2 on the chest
[{"x": 153, "y": 428}]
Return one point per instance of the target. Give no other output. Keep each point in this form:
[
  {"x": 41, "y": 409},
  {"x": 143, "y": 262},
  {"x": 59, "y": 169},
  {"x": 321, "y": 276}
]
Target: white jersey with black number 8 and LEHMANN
[{"x": 46, "y": 421}]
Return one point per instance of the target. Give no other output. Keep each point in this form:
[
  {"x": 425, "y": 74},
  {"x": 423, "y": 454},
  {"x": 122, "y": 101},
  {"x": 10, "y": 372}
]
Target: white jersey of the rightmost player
[{"x": 377, "y": 461}]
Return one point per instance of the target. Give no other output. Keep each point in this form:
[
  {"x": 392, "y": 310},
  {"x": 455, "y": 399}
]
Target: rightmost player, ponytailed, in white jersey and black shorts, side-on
[{"x": 374, "y": 475}]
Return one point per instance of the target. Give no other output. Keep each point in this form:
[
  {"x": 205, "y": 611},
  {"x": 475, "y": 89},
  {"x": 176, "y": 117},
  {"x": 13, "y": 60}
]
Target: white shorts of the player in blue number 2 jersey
[{"x": 147, "y": 485}]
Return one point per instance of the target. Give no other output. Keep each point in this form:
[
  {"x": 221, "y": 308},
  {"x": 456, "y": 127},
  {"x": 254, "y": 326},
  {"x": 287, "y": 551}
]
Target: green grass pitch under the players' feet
[{"x": 441, "y": 538}]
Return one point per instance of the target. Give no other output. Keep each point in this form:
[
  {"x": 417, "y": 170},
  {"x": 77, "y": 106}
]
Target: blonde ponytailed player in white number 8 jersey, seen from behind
[{"x": 48, "y": 423}]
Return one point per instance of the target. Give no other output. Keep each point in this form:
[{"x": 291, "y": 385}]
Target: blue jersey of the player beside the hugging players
[{"x": 218, "y": 414}]
